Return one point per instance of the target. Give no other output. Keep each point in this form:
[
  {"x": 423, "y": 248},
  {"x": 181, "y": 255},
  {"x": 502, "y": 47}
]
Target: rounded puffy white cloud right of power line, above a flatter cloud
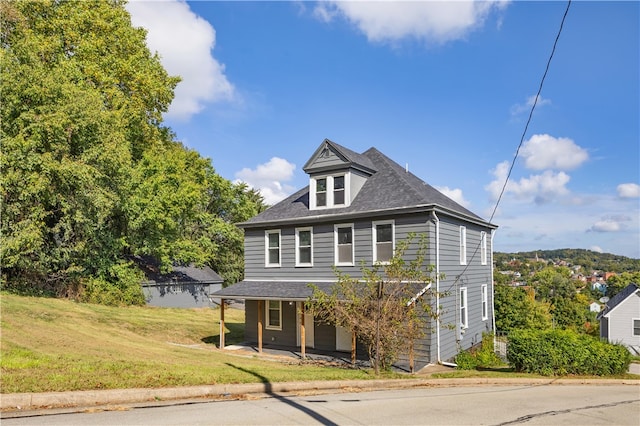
[{"x": 547, "y": 152}]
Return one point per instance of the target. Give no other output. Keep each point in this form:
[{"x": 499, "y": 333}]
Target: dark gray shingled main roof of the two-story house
[{"x": 390, "y": 188}]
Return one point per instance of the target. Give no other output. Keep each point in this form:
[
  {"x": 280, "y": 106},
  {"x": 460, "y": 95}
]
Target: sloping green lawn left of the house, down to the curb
[{"x": 57, "y": 345}]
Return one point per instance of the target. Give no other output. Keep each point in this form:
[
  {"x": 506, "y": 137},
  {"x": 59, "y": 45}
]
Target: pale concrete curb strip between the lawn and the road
[{"x": 30, "y": 401}]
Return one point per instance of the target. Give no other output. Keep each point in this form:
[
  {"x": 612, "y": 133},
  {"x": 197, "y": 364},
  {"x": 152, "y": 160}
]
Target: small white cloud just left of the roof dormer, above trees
[{"x": 269, "y": 179}]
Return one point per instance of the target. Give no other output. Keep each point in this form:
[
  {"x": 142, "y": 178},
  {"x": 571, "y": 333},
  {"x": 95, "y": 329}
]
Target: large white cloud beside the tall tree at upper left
[{"x": 184, "y": 42}]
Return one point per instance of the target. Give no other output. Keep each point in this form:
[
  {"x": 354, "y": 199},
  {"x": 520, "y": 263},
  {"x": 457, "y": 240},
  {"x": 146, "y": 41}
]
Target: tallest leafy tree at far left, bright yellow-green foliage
[{"x": 82, "y": 96}]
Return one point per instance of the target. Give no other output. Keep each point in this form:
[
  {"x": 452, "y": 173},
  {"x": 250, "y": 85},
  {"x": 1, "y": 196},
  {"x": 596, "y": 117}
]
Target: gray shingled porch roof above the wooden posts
[{"x": 271, "y": 290}]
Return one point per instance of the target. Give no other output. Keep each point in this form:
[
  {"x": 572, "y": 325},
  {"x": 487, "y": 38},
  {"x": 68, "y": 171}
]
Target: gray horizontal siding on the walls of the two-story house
[{"x": 472, "y": 276}]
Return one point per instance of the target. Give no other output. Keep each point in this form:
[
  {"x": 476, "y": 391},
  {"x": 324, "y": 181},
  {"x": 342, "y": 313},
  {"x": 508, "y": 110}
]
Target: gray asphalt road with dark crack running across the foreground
[{"x": 469, "y": 405}]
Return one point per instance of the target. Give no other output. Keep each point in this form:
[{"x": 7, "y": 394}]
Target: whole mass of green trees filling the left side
[{"x": 90, "y": 176}]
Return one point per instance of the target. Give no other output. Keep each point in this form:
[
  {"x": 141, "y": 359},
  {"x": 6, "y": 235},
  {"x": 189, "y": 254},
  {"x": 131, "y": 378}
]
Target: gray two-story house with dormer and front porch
[{"x": 355, "y": 208}]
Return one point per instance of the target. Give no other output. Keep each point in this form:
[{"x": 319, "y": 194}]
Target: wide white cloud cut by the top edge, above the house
[{"x": 429, "y": 21}]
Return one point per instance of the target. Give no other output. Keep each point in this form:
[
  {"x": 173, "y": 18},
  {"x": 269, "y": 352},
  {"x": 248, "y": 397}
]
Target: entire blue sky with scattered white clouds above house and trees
[{"x": 443, "y": 87}]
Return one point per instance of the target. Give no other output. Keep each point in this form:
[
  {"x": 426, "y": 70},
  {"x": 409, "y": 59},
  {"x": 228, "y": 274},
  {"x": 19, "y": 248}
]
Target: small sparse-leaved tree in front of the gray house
[{"x": 382, "y": 308}]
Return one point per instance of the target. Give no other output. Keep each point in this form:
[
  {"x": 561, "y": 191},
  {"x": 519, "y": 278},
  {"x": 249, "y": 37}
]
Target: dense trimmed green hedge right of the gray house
[{"x": 561, "y": 352}]
